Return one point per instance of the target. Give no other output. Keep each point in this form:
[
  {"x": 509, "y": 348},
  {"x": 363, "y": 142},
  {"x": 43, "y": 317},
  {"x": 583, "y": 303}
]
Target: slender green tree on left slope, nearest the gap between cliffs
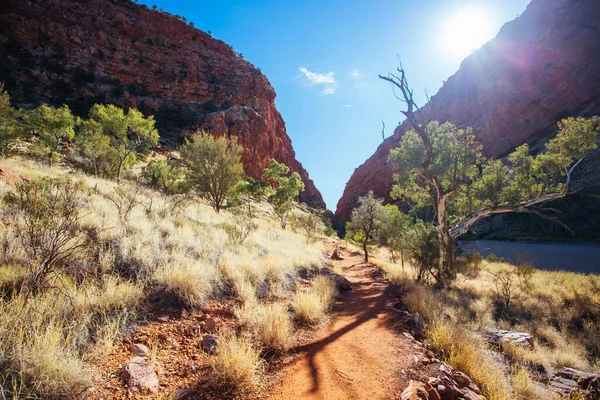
[{"x": 286, "y": 192}]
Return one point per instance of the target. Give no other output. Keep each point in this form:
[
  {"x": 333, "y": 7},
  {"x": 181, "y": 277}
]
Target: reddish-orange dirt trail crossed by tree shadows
[{"x": 359, "y": 354}]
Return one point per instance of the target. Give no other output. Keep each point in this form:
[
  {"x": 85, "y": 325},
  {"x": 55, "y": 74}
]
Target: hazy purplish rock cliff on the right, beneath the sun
[{"x": 542, "y": 67}]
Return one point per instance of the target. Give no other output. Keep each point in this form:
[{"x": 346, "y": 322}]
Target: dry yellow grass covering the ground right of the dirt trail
[{"x": 559, "y": 309}]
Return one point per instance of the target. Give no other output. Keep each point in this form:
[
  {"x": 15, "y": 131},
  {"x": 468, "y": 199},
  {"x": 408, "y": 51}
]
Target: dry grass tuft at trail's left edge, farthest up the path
[{"x": 312, "y": 304}]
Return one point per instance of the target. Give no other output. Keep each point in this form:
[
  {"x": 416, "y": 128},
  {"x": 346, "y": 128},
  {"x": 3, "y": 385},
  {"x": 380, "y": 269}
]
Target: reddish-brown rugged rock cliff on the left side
[{"x": 119, "y": 52}]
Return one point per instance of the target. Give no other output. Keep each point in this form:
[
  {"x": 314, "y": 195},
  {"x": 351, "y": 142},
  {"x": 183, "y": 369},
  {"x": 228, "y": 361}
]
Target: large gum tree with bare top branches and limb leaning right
[{"x": 442, "y": 166}]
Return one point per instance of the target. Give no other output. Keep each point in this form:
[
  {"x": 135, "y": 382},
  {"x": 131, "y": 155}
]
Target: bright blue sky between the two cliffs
[{"x": 323, "y": 57}]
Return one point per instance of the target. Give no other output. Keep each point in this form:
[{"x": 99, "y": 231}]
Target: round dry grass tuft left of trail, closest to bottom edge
[{"x": 237, "y": 366}]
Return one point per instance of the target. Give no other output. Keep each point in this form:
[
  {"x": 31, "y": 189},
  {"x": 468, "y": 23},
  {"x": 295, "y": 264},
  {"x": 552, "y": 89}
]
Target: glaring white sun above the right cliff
[{"x": 465, "y": 31}]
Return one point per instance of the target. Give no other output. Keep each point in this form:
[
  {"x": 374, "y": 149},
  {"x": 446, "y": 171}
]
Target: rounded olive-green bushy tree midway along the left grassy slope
[{"x": 214, "y": 165}]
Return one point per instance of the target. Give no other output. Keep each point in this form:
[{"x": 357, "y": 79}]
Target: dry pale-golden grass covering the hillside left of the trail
[{"x": 164, "y": 242}]
